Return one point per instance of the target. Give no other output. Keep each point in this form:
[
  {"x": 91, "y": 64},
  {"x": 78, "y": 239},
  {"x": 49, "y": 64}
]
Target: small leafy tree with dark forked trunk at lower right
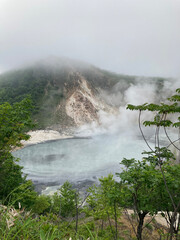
[{"x": 138, "y": 190}]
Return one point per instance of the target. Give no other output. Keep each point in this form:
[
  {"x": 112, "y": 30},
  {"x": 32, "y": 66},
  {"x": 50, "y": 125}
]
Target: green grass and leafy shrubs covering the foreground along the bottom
[{"x": 102, "y": 219}]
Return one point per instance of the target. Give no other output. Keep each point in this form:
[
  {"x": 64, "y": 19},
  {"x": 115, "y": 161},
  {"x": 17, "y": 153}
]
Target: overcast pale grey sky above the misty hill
[{"x": 137, "y": 37}]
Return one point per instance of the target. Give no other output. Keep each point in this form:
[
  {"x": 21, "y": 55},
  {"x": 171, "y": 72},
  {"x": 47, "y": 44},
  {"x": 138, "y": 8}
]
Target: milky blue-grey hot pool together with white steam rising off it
[{"x": 86, "y": 159}]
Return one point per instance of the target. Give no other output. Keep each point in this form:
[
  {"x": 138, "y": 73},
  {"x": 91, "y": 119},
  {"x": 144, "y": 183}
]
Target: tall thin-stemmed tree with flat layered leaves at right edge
[{"x": 164, "y": 116}]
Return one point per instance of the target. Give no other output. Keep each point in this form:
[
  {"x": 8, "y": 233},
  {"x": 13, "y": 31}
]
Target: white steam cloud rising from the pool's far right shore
[{"x": 125, "y": 122}]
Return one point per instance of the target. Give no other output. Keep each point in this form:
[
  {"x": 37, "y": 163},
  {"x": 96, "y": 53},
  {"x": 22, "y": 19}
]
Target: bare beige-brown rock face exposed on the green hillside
[{"x": 83, "y": 102}]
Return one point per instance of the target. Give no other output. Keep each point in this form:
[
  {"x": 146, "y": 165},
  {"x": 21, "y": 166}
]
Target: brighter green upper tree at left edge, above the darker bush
[{"x": 14, "y": 121}]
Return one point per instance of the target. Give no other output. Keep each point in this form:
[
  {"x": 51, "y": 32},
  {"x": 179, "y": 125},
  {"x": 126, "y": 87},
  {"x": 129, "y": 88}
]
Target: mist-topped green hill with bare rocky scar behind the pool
[{"x": 66, "y": 93}]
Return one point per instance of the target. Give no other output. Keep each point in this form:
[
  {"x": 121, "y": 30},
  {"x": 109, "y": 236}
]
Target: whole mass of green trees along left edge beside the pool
[{"x": 14, "y": 121}]
